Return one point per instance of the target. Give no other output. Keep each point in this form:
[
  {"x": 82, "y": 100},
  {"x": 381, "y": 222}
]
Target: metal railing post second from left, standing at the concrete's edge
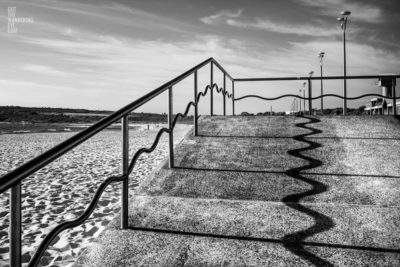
[{"x": 125, "y": 166}]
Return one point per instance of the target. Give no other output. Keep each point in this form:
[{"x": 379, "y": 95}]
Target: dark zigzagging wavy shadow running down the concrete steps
[{"x": 293, "y": 242}]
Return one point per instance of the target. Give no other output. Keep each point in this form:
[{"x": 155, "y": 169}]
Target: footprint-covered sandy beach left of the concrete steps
[{"x": 62, "y": 190}]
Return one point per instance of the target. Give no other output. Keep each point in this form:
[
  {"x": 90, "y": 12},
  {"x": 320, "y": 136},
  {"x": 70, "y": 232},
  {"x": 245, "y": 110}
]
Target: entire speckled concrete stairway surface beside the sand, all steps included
[{"x": 267, "y": 191}]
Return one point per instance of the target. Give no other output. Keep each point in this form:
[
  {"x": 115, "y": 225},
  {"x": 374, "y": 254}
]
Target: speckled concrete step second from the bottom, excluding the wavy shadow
[{"x": 352, "y": 225}]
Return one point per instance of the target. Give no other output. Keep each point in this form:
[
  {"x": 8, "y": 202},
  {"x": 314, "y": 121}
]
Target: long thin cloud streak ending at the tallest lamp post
[{"x": 297, "y": 29}]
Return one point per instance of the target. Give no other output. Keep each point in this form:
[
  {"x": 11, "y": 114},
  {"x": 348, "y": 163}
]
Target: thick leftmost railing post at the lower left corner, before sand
[{"x": 15, "y": 226}]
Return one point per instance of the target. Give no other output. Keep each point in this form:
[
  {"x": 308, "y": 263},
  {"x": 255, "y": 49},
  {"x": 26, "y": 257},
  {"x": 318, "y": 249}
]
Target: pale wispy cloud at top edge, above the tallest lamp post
[{"x": 360, "y": 12}]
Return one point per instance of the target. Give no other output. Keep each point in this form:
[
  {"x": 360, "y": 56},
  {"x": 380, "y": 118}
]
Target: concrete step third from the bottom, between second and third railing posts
[{"x": 266, "y": 186}]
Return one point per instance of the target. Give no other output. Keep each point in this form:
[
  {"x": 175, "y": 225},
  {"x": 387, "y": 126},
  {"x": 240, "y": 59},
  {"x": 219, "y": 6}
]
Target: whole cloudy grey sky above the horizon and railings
[{"x": 102, "y": 55}]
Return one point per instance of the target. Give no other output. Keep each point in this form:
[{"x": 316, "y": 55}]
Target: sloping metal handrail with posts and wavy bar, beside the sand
[{"x": 13, "y": 179}]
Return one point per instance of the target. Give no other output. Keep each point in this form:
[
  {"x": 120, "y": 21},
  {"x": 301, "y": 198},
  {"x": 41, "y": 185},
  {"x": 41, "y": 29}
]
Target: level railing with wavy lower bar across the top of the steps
[{"x": 309, "y": 81}]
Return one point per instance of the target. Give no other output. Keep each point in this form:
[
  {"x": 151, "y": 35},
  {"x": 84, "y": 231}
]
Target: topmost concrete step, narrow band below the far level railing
[{"x": 285, "y": 126}]
